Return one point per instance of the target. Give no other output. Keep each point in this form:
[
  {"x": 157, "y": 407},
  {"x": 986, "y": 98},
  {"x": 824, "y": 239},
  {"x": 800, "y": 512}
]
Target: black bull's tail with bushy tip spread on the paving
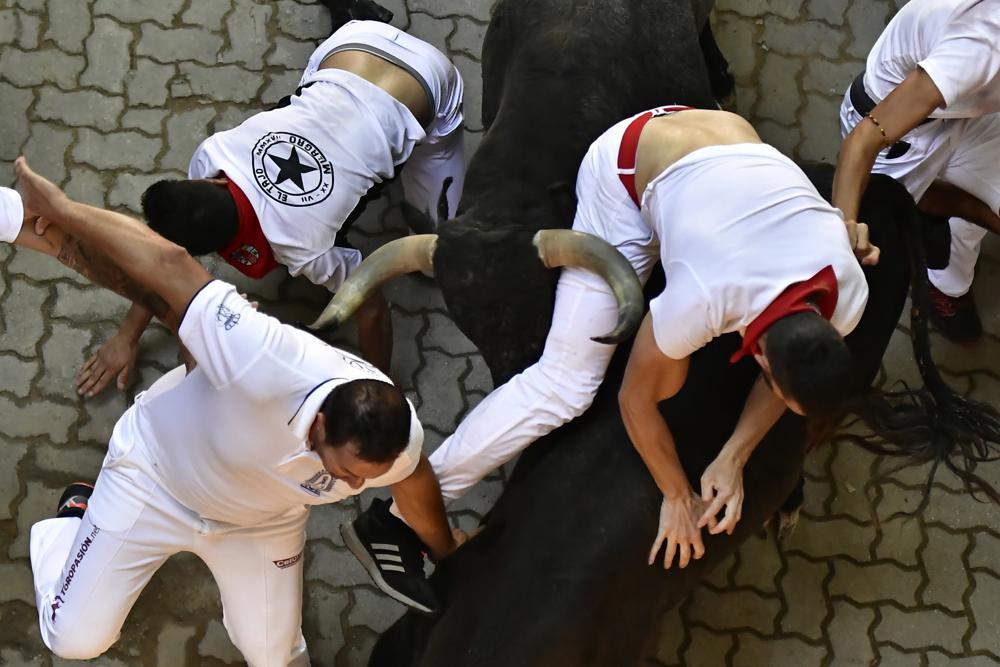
[{"x": 934, "y": 423}]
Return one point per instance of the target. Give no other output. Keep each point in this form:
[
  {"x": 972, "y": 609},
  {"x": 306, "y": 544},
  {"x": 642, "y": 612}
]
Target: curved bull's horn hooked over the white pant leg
[{"x": 563, "y": 247}]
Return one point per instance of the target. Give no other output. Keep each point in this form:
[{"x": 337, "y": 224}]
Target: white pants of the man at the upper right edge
[{"x": 961, "y": 151}]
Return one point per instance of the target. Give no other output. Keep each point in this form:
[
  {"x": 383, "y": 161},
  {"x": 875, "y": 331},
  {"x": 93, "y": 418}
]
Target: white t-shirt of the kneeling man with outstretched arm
[{"x": 229, "y": 440}]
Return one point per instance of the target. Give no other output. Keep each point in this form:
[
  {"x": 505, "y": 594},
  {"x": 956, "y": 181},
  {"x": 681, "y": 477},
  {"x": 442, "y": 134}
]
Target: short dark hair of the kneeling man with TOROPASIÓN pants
[{"x": 372, "y": 414}]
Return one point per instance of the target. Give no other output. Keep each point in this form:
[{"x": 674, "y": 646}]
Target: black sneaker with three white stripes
[{"x": 393, "y": 556}]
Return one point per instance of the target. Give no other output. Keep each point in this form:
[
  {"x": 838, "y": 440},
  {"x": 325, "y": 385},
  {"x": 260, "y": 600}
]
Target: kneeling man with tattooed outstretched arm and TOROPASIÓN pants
[{"x": 222, "y": 461}]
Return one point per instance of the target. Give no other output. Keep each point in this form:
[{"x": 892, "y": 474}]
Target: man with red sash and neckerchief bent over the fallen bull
[{"x": 771, "y": 260}]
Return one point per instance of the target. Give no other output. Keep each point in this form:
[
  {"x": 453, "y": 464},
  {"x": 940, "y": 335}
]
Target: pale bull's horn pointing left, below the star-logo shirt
[{"x": 405, "y": 255}]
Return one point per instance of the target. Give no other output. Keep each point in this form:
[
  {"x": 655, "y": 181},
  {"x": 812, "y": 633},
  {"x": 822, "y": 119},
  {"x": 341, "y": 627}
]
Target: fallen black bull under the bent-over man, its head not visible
[{"x": 558, "y": 576}]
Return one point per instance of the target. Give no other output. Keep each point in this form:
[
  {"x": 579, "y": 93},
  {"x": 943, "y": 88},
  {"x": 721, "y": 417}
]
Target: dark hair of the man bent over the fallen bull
[{"x": 810, "y": 362}]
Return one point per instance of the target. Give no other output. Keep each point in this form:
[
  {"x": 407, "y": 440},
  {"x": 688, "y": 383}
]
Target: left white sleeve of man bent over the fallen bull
[{"x": 681, "y": 314}]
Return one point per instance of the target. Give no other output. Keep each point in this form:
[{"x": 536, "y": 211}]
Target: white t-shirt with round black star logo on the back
[{"x": 305, "y": 167}]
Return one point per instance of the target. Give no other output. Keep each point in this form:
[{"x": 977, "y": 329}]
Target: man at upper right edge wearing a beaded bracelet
[{"x": 925, "y": 111}]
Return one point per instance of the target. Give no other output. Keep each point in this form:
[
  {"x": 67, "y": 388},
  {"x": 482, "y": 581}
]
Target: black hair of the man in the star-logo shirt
[{"x": 198, "y": 215}]
